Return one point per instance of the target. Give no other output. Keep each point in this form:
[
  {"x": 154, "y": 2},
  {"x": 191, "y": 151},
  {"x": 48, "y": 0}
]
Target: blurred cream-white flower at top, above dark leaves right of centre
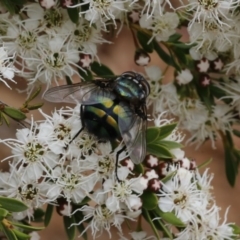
[{"x": 162, "y": 26}]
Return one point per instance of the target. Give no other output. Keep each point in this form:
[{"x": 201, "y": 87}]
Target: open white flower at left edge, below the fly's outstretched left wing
[{"x": 30, "y": 154}]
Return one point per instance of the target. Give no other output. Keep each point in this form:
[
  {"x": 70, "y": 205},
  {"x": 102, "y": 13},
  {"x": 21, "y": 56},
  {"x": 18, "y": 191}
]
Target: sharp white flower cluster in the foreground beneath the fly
[{"x": 57, "y": 167}]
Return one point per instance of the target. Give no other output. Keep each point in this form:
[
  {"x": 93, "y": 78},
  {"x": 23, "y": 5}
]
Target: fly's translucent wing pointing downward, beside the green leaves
[{"x": 133, "y": 131}]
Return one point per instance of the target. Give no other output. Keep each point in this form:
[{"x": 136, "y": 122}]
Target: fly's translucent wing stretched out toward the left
[{"x": 84, "y": 92}]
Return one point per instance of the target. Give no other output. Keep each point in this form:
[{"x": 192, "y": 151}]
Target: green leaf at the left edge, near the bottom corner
[{"x": 12, "y": 205}]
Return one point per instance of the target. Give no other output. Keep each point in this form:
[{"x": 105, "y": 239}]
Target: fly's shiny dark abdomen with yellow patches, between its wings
[{"x": 101, "y": 120}]
